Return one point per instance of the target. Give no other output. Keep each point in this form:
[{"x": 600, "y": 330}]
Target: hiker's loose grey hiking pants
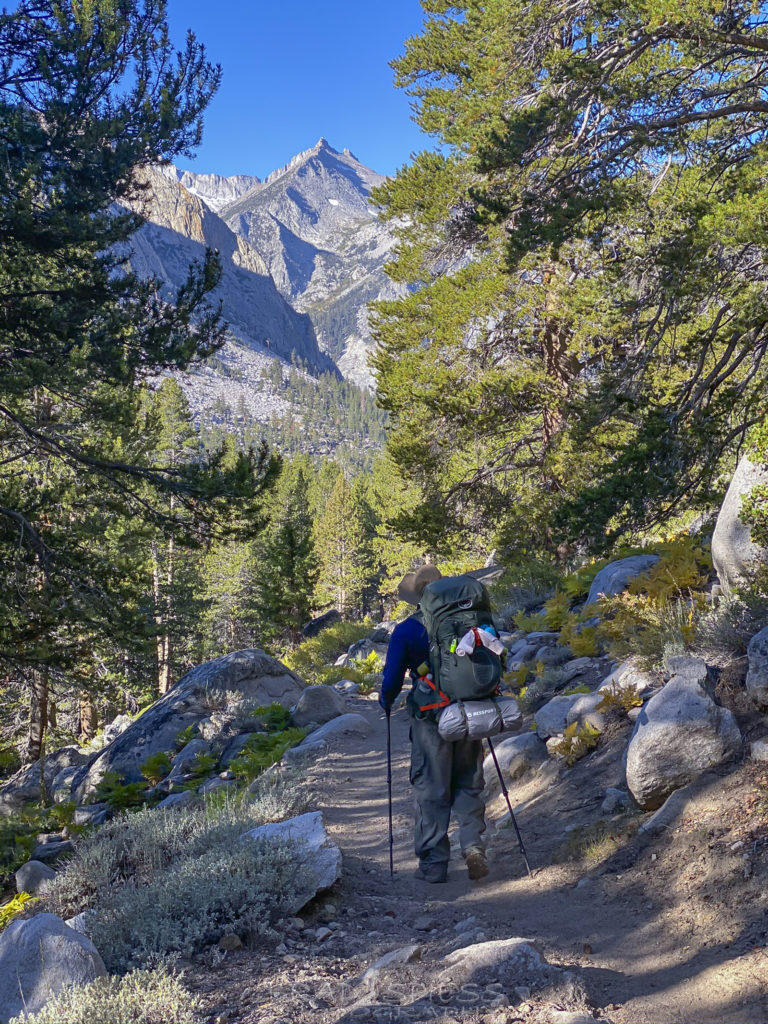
[{"x": 445, "y": 777}]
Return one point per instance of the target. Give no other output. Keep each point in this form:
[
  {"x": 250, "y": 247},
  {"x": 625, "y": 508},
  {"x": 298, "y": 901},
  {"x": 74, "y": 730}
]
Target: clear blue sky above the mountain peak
[{"x": 298, "y": 70}]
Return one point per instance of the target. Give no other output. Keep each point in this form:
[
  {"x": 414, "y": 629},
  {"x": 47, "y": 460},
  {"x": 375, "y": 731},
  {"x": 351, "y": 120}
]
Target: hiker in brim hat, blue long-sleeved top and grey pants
[{"x": 445, "y": 776}]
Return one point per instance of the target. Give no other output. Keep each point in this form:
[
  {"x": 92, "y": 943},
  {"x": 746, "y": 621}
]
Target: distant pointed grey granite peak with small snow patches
[{"x": 314, "y": 224}]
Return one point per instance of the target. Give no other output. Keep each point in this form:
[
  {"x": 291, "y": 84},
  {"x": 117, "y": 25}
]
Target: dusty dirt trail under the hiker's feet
[{"x": 673, "y": 930}]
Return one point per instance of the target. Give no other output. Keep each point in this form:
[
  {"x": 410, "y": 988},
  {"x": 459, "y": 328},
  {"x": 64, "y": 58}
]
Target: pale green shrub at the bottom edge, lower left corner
[{"x": 141, "y": 998}]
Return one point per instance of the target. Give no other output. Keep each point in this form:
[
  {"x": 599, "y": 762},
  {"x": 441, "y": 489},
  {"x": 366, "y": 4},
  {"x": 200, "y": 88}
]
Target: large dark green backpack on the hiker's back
[{"x": 452, "y": 607}]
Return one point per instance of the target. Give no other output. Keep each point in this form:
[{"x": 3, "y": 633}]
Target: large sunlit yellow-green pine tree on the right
[{"x": 584, "y": 340}]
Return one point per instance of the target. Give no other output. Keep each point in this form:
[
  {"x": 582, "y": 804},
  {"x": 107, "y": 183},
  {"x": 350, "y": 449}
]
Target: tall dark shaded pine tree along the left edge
[{"x": 91, "y": 94}]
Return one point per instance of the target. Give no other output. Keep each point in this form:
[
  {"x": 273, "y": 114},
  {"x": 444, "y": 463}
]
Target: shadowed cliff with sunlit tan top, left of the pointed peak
[{"x": 180, "y": 227}]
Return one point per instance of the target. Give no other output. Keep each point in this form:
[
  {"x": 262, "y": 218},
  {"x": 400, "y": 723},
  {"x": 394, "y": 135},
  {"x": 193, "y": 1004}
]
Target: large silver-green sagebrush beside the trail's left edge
[{"x": 168, "y": 882}]
